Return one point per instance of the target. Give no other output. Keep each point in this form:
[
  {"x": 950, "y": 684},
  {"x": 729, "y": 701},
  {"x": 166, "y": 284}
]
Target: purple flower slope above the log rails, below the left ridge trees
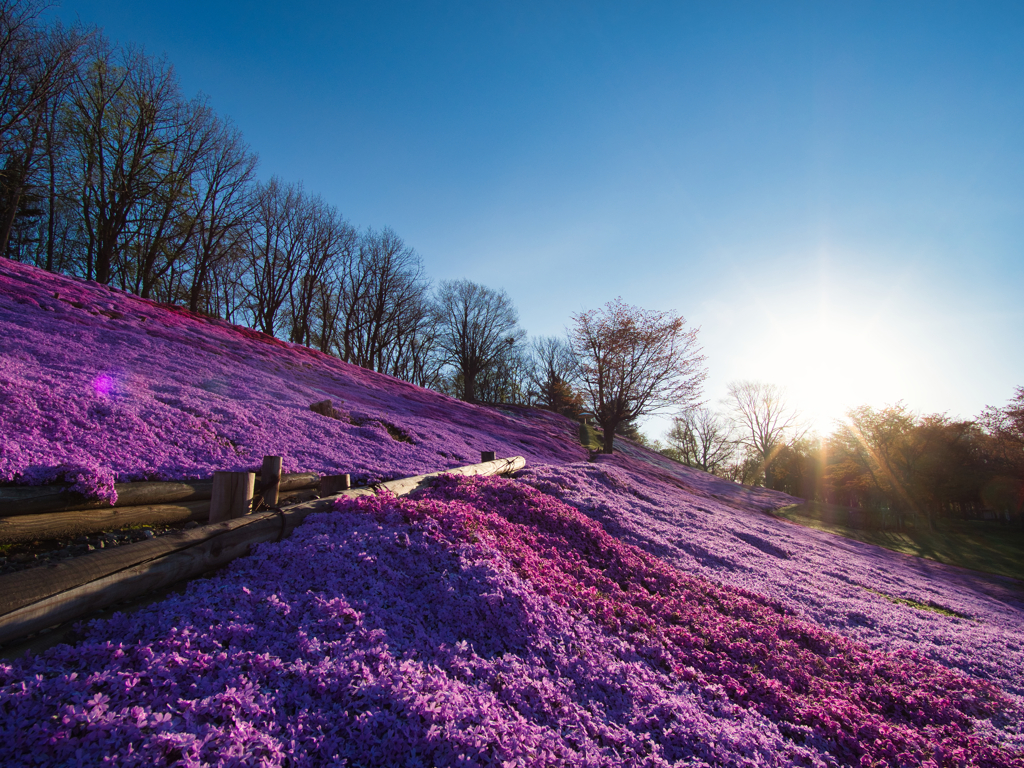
[{"x": 99, "y": 387}]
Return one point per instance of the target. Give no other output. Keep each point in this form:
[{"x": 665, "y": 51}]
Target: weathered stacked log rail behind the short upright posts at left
[{"x": 139, "y": 504}]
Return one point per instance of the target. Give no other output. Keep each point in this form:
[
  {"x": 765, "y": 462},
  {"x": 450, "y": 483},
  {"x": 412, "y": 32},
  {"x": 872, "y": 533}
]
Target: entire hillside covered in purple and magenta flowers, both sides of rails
[{"x": 624, "y": 612}]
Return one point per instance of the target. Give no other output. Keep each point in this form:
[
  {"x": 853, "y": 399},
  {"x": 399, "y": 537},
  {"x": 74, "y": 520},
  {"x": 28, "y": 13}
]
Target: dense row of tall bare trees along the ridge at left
[{"x": 110, "y": 173}]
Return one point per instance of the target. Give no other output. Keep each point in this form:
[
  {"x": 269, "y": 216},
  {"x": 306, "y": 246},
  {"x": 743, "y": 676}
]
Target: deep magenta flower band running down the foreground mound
[{"x": 861, "y": 703}]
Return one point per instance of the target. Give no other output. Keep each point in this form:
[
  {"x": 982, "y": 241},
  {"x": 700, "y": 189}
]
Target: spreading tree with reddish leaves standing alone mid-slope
[{"x": 634, "y": 362}]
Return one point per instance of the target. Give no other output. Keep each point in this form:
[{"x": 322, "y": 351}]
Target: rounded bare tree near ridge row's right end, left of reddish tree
[{"x": 477, "y": 327}]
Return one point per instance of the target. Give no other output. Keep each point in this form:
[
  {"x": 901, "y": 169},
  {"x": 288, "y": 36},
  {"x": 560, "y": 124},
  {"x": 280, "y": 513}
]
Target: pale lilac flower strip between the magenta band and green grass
[{"x": 840, "y": 584}]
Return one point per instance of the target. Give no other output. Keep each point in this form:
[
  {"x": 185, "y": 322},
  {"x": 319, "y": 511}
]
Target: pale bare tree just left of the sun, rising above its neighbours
[{"x": 764, "y": 420}]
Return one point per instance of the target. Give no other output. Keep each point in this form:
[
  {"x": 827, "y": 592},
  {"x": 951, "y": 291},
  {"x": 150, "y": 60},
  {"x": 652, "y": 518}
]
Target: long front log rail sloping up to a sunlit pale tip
[{"x": 38, "y": 599}]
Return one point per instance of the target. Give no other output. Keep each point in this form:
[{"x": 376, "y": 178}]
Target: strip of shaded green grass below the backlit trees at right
[{"x": 982, "y": 545}]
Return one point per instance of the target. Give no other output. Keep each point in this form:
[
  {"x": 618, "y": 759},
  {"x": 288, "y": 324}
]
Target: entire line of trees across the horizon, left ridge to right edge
[{"x": 109, "y": 173}]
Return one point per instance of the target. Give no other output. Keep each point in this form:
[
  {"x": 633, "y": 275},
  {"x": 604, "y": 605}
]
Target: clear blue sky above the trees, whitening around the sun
[{"x": 832, "y": 191}]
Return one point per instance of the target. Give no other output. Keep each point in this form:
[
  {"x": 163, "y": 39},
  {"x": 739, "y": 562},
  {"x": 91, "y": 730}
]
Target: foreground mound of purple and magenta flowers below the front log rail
[{"x": 482, "y": 624}]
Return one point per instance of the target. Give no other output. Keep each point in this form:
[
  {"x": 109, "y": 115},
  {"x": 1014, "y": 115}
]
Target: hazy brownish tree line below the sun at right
[{"x": 892, "y": 463}]
